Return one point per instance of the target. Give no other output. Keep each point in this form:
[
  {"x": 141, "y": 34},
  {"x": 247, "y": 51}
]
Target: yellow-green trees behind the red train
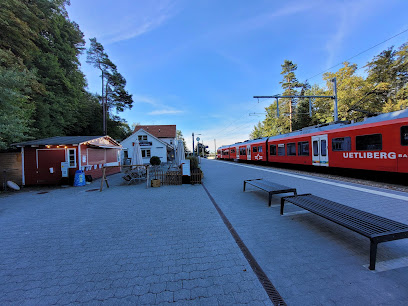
[{"x": 384, "y": 90}]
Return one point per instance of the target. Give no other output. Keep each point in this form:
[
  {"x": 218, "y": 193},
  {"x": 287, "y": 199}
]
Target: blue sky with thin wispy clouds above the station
[{"x": 197, "y": 64}]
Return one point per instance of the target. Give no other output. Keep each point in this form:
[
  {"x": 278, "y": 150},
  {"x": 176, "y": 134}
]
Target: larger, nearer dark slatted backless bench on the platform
[{"x": 378, "y": 229}]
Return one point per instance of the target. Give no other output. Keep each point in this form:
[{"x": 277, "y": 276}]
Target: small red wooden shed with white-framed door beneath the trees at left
[{"x": 51, "y": 160}]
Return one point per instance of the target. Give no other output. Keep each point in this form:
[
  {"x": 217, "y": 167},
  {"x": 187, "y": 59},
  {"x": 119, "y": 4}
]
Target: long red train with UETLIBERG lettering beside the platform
[{"x": 379, "y": 143}]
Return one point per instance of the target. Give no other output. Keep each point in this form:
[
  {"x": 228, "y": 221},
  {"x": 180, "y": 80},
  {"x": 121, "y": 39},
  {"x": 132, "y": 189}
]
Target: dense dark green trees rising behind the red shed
[{"x": 42, "y": 90}]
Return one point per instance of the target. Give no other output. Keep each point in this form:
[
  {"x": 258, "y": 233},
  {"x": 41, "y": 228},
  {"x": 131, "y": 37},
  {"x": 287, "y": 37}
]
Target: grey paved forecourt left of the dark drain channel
[{"x": 125, "y": 245}]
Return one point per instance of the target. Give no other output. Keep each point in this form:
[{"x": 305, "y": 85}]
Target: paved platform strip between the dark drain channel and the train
[{"x": 312, "y": 261}]
